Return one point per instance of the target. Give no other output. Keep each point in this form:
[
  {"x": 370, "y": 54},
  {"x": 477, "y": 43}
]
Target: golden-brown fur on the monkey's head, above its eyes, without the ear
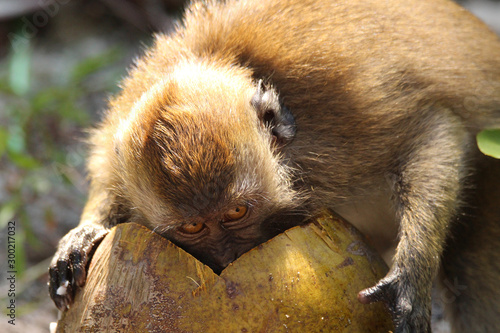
[{"x": 193, "y": 144}]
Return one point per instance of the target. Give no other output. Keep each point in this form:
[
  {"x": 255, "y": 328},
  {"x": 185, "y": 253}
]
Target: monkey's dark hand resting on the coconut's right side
[{"x": 410, "y": 307}]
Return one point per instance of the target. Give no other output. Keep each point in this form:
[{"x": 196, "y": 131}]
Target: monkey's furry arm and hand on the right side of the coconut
[{"x": 426, "y": 190}]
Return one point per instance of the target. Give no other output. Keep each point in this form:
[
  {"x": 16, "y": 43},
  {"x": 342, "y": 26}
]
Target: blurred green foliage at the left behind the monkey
[{"x": 39, "y": 121}]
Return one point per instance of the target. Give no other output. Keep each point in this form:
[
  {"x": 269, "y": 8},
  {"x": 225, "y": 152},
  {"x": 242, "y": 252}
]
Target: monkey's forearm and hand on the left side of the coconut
[{"x": 67, "y": 270}]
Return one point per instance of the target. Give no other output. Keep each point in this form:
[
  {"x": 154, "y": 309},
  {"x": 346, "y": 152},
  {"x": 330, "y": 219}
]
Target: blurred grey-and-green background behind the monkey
[{"x": 60, "y": 60}]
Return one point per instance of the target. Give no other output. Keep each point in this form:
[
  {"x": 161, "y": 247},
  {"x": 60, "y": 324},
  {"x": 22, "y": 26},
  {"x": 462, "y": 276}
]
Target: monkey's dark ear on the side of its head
[{"x": 274, "y": 115}]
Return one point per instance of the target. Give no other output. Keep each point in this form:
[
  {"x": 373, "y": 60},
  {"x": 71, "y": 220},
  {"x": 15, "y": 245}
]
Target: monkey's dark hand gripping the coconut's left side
[{"x": 67, "y": 269}]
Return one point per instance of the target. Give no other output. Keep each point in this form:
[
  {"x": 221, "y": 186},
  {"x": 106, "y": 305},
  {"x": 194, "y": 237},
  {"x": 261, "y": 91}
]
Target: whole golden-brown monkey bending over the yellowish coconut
[{"x": 252, "y": 115}]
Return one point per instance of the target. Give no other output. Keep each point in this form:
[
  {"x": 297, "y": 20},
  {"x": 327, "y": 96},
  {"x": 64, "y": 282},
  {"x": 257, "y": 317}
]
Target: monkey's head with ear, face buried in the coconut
[{"x": 200, "y": 159}]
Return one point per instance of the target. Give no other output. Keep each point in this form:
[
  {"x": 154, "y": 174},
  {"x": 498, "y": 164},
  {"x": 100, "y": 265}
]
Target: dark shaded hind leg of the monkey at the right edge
[{"x": 470, "y": 279}]
